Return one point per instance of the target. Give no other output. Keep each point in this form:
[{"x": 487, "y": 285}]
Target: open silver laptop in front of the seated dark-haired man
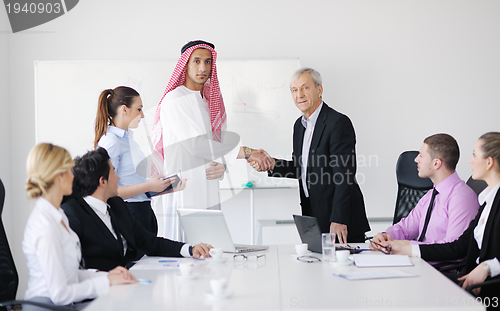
[{"x": 209, "y": 226}]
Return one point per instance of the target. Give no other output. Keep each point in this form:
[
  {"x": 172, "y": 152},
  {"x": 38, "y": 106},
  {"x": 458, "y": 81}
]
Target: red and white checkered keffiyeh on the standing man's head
[{"x": 211, "y": 91}]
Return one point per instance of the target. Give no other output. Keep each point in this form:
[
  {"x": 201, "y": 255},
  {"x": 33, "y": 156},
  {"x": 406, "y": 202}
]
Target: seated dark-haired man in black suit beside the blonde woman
[{"x": 109, "y": 235}]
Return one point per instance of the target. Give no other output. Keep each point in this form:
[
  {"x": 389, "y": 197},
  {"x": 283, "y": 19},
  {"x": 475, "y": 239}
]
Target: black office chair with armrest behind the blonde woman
[{"x": 8, "y": 273}]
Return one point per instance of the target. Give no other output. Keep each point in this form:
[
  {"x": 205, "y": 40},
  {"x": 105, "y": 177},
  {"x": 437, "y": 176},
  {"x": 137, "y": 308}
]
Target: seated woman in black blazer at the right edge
[{"x": 480, "y": 243}]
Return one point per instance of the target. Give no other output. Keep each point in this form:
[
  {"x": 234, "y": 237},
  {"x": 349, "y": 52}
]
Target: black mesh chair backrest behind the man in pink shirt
[{"x": 410, "y": 187}]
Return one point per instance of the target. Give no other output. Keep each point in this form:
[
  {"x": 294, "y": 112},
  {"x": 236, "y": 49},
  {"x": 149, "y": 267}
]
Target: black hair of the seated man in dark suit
[{"x": 88, "y": 170}]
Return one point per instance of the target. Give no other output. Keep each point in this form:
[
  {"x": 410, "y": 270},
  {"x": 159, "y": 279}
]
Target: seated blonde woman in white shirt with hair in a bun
[{"x": 51, "y": 248}]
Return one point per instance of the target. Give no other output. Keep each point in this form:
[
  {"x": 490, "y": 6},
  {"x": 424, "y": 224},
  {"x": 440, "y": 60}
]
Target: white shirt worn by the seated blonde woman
[{"x": 53, "y": 256}]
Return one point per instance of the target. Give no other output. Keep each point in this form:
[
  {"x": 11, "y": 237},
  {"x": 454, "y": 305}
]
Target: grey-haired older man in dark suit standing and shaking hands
[{"x": 324, "y": 161}]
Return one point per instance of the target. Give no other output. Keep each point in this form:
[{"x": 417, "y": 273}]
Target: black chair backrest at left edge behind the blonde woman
[{"x": 8, "y": 273}]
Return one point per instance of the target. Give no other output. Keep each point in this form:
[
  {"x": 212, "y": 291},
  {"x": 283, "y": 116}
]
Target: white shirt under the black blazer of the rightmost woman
[{"x": 486, "y": 196}]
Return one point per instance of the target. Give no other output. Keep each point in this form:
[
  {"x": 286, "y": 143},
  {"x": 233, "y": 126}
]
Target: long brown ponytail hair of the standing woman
[{"x": 109, "y": 102}]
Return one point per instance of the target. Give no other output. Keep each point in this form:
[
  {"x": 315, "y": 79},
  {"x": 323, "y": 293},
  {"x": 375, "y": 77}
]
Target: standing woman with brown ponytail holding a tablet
[{"x": 119, "y": 110}]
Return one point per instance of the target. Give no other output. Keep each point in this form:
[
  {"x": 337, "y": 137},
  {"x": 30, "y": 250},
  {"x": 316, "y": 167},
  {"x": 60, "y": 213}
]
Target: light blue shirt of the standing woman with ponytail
[{"x": 118, "y": 144}]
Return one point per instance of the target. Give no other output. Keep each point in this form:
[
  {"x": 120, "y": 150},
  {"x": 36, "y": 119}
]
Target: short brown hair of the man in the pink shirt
[{"x": 444, "y": 147}]
